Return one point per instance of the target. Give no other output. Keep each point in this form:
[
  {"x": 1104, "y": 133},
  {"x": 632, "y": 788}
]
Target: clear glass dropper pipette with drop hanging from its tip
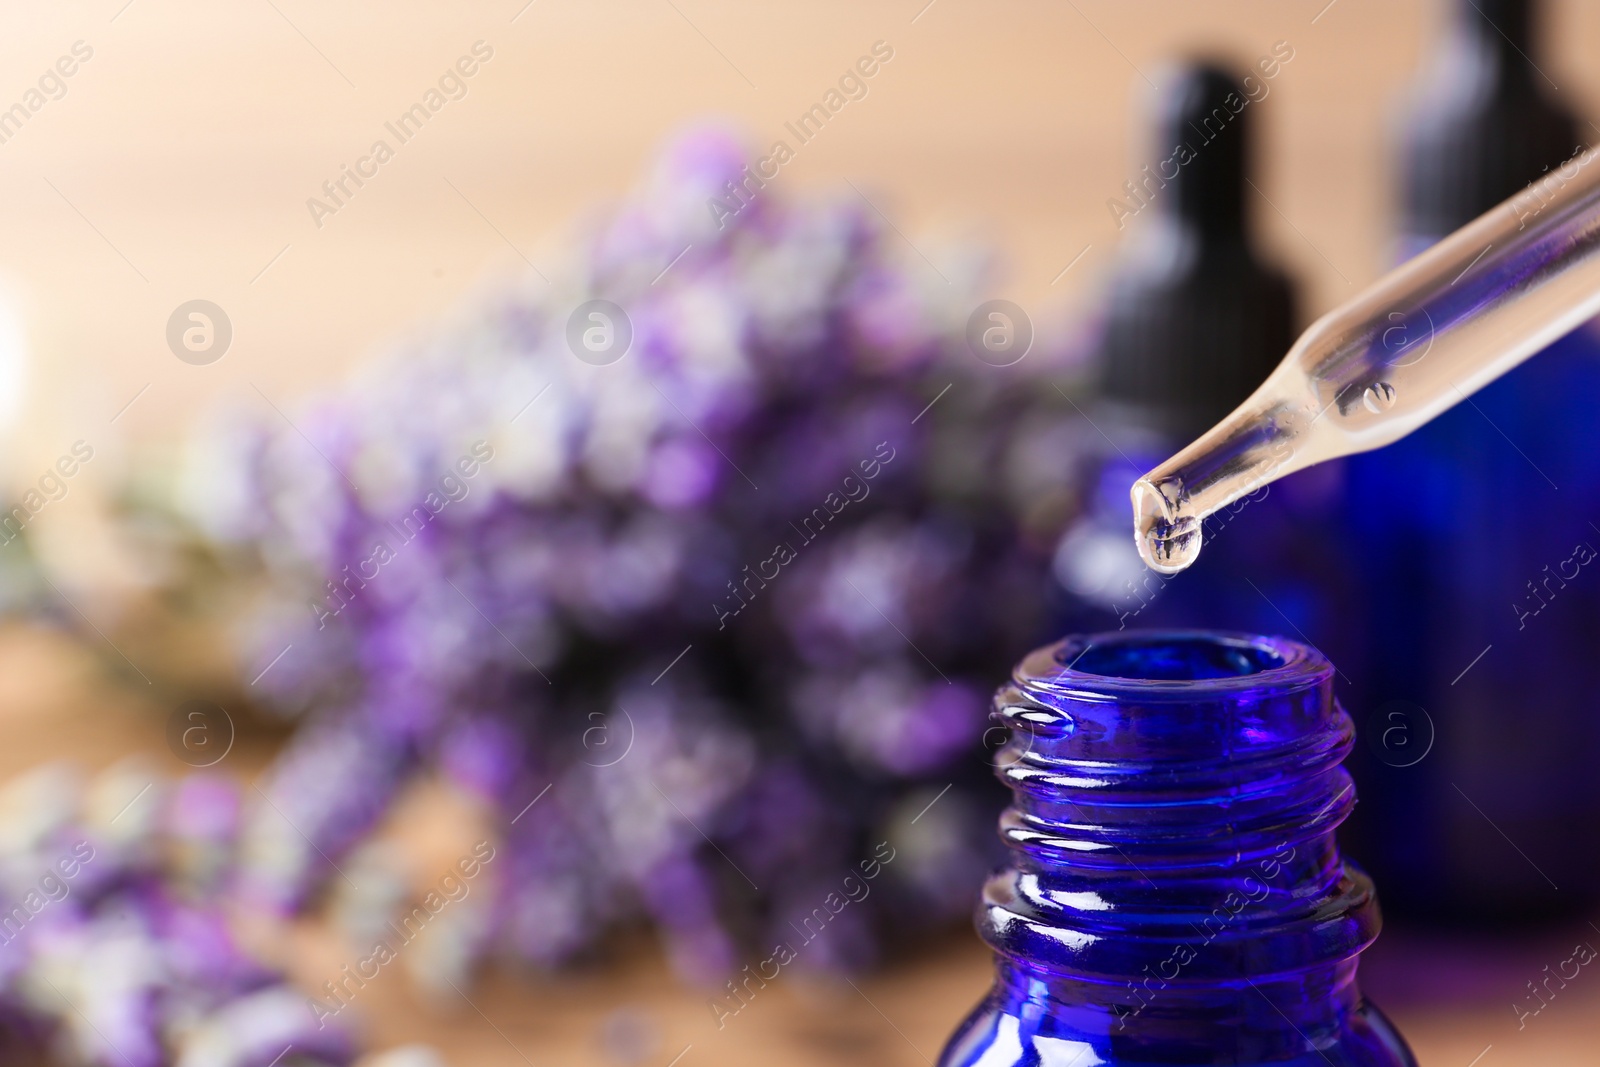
[{"x": 1420, "y": 340}]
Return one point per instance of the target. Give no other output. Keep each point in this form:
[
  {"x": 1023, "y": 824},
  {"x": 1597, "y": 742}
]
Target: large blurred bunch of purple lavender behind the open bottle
[{"x": 694, "y": 623}]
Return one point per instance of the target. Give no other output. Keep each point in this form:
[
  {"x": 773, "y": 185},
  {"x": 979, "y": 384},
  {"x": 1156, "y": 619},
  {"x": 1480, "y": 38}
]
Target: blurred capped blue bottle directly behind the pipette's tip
[{"x": 1194, "y": 321}]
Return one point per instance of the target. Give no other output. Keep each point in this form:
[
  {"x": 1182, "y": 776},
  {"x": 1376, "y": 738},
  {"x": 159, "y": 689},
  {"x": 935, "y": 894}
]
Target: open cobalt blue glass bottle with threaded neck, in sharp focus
[{"x": 1175, "y": 893}]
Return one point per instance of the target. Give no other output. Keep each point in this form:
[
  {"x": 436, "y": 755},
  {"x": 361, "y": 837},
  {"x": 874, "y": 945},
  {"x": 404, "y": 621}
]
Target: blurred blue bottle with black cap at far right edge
[{"x": 1473, "y": 537}]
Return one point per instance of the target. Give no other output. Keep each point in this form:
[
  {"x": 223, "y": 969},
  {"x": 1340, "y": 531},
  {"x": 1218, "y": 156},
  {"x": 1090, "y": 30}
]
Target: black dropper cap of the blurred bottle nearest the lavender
[{"x": 1196, "y": 321}]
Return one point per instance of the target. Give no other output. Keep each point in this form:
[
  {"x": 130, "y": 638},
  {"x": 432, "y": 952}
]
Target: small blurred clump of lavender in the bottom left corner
[{"x": 106, "y": 954}]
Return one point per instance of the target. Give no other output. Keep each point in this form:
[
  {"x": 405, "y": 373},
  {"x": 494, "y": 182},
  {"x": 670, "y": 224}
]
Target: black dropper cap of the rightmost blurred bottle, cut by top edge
[{"x": 1484, "y": 124}]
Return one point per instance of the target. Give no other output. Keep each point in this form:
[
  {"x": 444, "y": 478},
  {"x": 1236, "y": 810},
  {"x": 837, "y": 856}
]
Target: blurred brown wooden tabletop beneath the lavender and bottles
[{"x": 1452, "y": 997}]
